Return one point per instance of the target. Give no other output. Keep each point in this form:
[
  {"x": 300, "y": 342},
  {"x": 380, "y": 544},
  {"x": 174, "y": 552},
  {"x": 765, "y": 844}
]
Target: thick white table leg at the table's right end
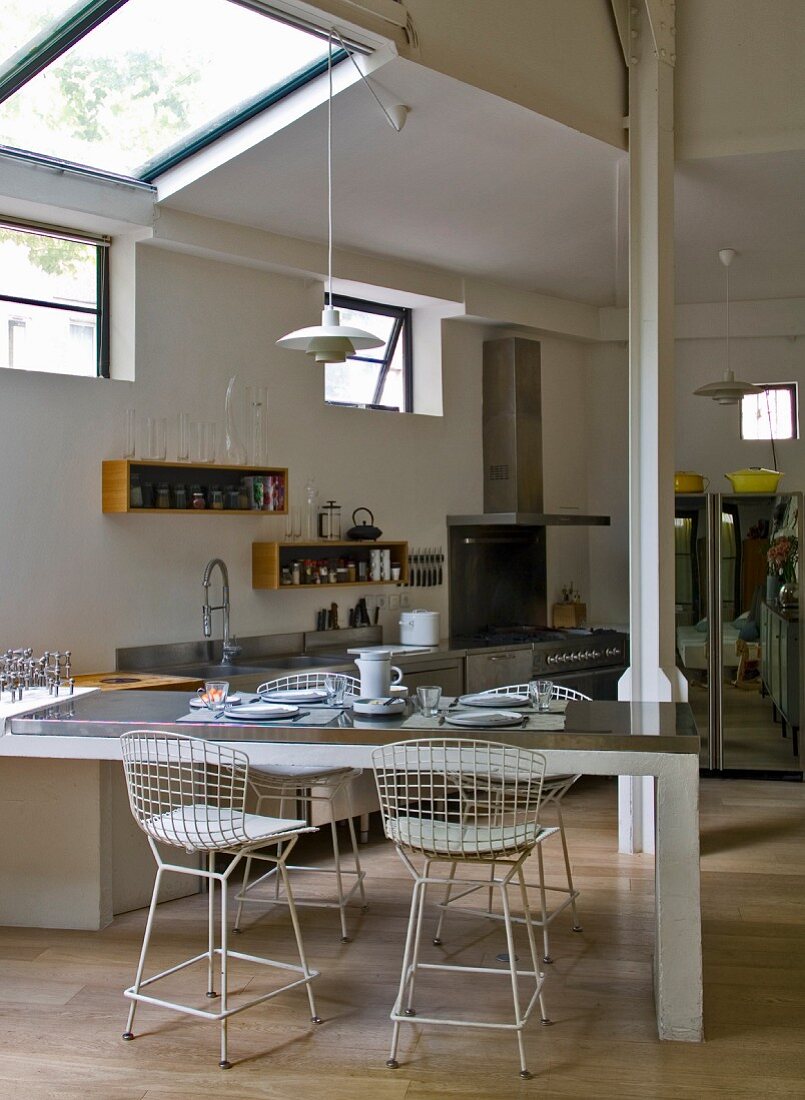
[{"x": 678, "y": 916}]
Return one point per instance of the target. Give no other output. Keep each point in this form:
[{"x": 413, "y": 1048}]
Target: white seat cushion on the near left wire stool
[{"x": 205, "y": 828}]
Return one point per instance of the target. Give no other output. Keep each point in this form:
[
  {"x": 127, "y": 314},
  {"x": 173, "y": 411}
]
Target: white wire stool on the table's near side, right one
[{"x": 444, "y": 801}]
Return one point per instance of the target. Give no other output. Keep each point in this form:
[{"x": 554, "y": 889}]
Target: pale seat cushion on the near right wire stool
[{"x": 458, "y": 840}]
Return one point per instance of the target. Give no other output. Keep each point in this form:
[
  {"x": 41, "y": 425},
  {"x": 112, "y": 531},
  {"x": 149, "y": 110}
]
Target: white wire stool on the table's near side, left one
[{"x": 191, "y": 794}]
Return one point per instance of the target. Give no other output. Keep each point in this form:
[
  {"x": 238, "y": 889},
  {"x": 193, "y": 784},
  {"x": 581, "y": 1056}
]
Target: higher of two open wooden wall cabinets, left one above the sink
[{"x": 122, "y": 476}]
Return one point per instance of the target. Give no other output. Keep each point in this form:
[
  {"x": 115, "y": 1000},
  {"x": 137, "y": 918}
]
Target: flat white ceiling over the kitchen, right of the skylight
[{"x": 481, "y": 186}]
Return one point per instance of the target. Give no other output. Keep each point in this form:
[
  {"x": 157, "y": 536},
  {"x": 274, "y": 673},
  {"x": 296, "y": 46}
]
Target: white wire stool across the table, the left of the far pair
[{"x": 308, "y": 786}]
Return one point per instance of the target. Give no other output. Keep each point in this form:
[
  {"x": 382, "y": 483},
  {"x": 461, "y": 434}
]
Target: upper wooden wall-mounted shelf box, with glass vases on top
[{"x": 118, "y": 474}]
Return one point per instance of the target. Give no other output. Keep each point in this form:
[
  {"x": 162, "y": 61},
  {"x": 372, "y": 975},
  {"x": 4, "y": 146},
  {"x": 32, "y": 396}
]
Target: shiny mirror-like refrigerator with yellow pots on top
[{"x": 738, "y": 650}]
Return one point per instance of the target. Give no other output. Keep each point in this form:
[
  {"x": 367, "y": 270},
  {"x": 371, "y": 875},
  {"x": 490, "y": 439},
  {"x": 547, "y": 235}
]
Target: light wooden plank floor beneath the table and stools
[{"x": 63, "y": 1014}]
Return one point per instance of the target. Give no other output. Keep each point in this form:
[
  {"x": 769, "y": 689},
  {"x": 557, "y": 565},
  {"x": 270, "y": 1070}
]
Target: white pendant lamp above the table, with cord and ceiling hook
[{"x": 332, "y": 342}]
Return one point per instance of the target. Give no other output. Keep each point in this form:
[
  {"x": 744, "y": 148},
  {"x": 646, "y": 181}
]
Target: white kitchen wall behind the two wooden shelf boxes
[{"x": 76, "y": 579}]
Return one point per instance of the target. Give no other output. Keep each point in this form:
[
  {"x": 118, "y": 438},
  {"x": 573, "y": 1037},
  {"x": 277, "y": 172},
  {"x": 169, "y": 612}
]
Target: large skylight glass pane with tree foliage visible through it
[{"x": 150, "y": 78}]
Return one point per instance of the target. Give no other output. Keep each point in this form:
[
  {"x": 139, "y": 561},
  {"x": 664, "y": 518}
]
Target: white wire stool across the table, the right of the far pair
[{"x": 555, "y": 789}]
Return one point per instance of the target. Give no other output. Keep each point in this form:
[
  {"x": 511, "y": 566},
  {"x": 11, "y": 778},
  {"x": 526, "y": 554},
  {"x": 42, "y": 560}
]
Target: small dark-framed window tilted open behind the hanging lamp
[{"x": 380, "y": 378}]
